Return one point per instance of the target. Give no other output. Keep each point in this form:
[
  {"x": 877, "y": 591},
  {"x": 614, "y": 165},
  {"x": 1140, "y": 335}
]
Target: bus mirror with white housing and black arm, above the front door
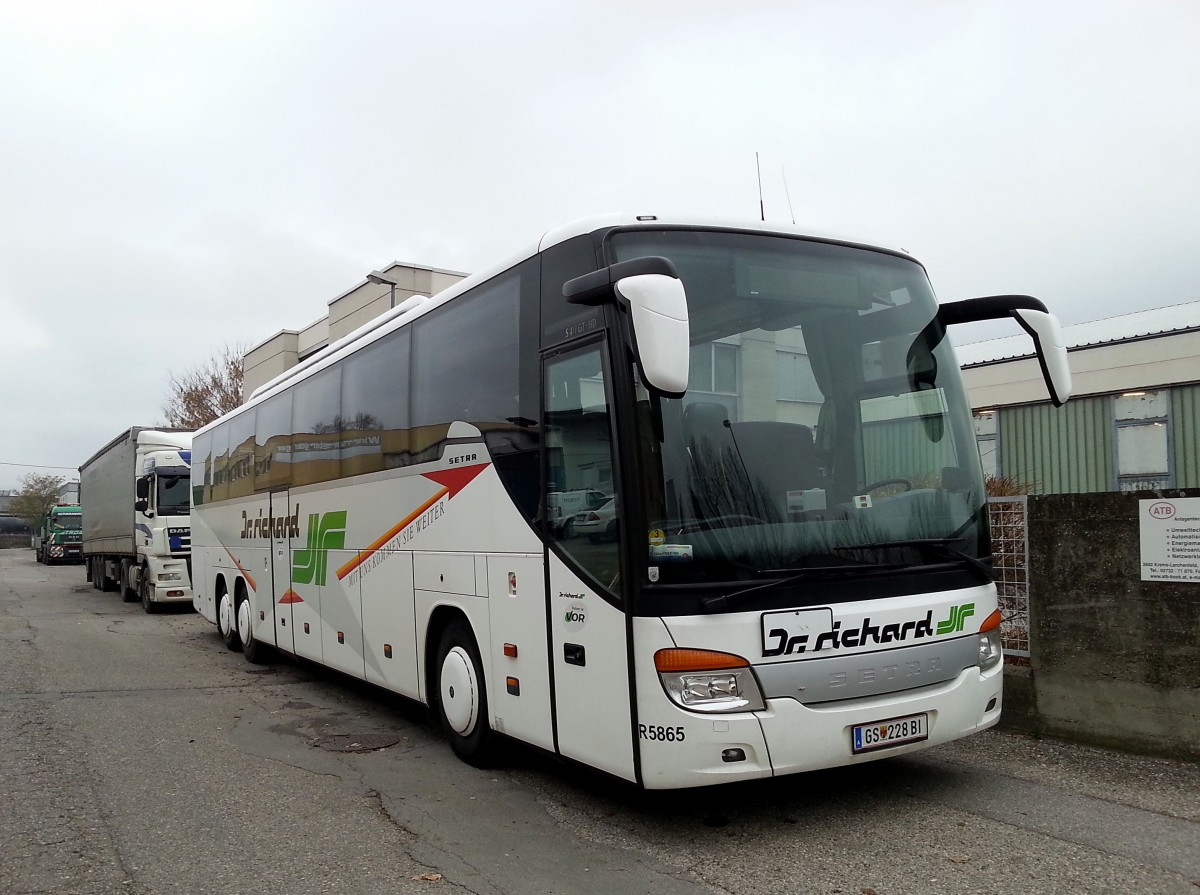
[{"x": 658, "y": 308}]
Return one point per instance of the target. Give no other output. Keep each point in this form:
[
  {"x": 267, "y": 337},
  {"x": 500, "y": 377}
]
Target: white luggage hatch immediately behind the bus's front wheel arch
[{"x": 389, "y": 627}]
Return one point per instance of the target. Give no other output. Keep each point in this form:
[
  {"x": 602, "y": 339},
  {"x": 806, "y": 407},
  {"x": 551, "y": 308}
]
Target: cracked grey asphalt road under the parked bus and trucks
[{"x": 139, "y": 755}]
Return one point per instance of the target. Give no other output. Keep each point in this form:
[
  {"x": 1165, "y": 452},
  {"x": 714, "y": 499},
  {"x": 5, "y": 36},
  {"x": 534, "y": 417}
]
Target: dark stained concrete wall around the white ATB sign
[{"x": 1114, "y": 660}]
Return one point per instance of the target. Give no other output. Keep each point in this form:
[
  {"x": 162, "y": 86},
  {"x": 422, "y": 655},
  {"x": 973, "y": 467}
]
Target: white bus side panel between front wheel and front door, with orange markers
[{"x": 520, "y": 671}]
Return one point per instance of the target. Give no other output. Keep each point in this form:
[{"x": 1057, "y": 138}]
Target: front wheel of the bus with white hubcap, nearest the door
[{"x": 463, "y": 696}]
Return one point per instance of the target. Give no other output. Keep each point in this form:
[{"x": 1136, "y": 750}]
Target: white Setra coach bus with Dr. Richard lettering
[{"x": 794, "y": 572}]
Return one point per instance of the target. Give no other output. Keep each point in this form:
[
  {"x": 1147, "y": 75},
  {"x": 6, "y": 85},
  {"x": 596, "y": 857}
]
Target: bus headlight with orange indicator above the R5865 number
[{"x": 706, "y": 681}]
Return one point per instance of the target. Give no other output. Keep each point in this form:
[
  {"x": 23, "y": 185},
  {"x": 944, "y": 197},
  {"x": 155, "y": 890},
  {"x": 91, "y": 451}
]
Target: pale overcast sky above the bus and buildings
[{"x": 176, "y": 177}]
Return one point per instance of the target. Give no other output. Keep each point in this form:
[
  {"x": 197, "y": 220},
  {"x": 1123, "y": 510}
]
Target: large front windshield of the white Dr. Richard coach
[{"x": 825, "y": 424}]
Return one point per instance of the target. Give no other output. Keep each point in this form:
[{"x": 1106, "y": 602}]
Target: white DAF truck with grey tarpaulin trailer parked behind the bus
[{"x": 137, "y": 533}]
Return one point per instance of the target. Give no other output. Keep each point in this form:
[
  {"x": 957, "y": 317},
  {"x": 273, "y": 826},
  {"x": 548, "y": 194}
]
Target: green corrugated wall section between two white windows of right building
[{"x": 1059, "y": 449}]
